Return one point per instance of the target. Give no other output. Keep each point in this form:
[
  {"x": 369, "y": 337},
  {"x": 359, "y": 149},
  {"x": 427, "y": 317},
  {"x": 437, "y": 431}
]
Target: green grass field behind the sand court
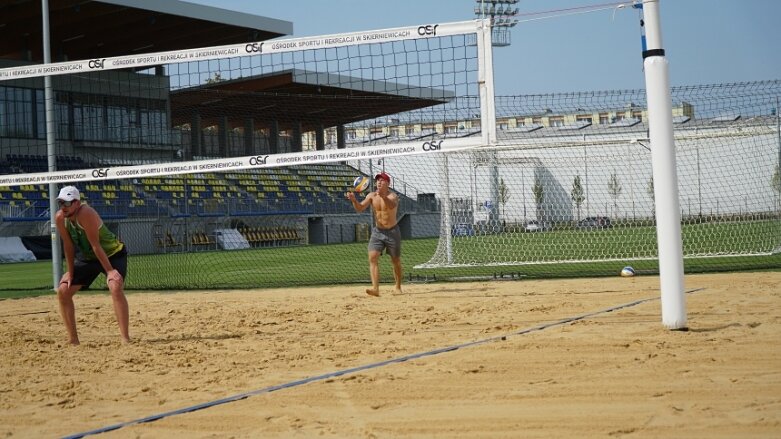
[{"x": 347, "y": 263}]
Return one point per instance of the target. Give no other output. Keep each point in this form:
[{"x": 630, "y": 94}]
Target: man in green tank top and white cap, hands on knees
[{"x": 90, "y": 248}]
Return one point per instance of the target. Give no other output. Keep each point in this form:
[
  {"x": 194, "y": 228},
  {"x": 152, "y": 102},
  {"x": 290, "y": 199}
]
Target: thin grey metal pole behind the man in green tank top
[{"x": 50, "y": 148}]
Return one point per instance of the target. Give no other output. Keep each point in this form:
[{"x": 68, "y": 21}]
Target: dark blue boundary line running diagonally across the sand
[{"x": 338, "y": 373}]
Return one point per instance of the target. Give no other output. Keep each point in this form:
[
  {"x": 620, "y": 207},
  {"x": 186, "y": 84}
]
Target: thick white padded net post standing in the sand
[{"x": 668, "y": 219}]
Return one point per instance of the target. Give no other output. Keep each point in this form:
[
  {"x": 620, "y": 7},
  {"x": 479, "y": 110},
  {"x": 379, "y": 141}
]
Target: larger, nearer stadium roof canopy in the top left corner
[{"x": 85, "y": 29}]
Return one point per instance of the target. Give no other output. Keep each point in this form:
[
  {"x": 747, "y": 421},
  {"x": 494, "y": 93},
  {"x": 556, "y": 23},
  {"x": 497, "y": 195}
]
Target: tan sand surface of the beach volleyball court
[{"x": 611, "y": 374}]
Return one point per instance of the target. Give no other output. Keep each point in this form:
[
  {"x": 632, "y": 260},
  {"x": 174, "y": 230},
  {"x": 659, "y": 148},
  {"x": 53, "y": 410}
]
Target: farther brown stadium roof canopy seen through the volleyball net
[{"x": 293, "y": 96}]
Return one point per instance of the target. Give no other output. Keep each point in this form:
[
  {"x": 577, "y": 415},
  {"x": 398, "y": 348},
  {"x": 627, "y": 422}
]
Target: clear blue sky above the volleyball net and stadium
[{"x": 706, "y": 41}]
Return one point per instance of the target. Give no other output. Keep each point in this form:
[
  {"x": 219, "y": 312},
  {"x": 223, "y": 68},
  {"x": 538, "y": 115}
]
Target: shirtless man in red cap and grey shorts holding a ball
[{"x": 385, "y": 234}]
